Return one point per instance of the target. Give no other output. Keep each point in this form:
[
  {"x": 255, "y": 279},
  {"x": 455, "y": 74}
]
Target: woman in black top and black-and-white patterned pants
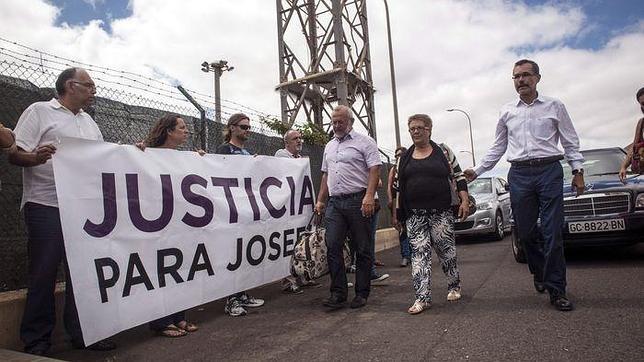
[{"x": 426, "y": 172}]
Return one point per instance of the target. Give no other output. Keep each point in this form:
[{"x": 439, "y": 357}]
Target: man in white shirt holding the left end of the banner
[{"x": 40, "y": 126}]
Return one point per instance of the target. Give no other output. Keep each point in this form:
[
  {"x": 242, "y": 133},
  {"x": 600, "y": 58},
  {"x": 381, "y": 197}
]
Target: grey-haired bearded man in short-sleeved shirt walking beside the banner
[{"x": 350, "y": 173}]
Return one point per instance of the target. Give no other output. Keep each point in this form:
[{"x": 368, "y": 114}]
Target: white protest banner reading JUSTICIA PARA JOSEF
[{"x": 150, "y": 233}]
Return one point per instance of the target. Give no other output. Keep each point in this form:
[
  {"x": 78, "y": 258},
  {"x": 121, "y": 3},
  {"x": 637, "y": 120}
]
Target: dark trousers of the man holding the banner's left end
[{"x": 46, "y": 251}]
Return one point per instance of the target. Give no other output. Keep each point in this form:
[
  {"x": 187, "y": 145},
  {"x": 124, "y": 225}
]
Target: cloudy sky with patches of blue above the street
[{"x": 448, "y": 54}]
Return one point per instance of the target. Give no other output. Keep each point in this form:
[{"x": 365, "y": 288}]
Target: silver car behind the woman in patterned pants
[{"x": 493, "y": 210}]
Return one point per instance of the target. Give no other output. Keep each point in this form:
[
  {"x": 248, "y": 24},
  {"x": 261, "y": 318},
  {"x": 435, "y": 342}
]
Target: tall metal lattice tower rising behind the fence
[{"x": 324, "y": 60}]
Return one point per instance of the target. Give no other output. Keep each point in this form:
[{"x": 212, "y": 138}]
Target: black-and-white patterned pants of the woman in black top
[{"x": 427, "y": 229}]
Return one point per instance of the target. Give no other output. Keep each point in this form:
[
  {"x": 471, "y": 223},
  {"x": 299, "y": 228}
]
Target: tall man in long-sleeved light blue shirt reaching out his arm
[{"x": 530, "y": 130}]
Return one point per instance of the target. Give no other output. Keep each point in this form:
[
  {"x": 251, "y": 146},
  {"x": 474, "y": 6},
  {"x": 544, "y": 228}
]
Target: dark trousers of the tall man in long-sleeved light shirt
[{"x": 536, "y": 191}]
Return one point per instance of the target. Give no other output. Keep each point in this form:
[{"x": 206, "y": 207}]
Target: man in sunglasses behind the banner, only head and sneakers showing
[{"x": 236, "y": 133}]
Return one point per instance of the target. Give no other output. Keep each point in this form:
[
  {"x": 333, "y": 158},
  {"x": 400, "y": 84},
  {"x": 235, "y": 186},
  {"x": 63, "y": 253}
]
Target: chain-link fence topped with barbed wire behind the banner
[{"x": 126, "y": 107}]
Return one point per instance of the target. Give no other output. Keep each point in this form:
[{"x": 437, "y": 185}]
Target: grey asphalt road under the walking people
[{"x": 500, "y": 317}]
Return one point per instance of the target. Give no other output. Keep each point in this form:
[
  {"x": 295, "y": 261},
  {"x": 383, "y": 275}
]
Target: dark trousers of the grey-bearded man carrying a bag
[{"x": 342, "y": 215}]
